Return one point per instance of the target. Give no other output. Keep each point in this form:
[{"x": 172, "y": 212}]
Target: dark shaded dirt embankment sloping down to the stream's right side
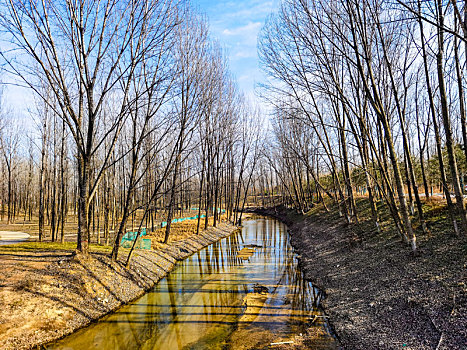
[{"x": 379, "y": 294}]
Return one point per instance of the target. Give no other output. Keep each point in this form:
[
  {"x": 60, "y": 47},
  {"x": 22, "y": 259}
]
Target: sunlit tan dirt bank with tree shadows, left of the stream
[{"x": 45, "y": 295}]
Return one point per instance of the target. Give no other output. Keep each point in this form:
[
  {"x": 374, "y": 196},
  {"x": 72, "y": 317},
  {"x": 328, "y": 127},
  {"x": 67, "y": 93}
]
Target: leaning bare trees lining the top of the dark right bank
[{"x": 368, "y": 101}]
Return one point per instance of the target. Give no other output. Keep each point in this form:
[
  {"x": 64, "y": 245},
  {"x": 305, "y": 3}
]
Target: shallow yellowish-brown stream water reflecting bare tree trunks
[{"x": 209, "y": 301}]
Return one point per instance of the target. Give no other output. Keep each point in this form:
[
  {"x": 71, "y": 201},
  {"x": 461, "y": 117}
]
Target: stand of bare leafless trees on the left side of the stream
[{"x": 136, "y": 120}]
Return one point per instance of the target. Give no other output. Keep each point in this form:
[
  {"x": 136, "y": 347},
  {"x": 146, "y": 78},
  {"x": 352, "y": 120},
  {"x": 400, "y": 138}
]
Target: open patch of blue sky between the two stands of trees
[{"x": 236, "y": 24}]
